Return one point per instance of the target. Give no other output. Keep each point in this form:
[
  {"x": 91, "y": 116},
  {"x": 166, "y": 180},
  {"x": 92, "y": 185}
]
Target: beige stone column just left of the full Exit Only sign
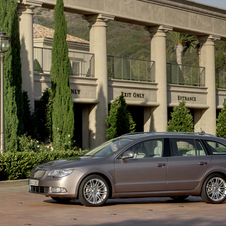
[{"x": 98, "y": 46}]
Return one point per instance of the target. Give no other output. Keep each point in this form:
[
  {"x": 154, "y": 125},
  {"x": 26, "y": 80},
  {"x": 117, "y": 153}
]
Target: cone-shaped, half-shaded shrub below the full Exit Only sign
[{"x": 119, "y": 120}]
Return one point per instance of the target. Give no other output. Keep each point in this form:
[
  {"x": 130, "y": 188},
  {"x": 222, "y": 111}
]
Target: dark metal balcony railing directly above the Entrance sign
[{"x": 185, "y": 75}]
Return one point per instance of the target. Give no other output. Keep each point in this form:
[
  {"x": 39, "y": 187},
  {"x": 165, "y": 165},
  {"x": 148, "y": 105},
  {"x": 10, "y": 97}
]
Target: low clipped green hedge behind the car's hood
[{"x": 18, "y": 165}]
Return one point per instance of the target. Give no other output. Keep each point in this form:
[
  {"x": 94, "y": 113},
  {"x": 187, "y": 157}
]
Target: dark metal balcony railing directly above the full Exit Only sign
[{"x": 131, "y": 69}]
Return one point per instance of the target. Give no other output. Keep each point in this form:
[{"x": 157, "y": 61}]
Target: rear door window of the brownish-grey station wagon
[{"x": 186, "y": 147}]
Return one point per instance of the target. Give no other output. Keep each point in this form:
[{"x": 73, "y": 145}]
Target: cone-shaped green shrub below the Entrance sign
[{"x": 182, "y": 120}]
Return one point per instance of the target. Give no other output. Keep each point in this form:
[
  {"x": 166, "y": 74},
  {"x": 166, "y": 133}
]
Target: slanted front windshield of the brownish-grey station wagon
[{"x": 109, "y": 147}]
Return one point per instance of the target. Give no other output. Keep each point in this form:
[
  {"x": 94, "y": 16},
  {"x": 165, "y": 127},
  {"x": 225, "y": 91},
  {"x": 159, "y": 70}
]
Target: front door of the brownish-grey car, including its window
[{"x": 145, "y": 172}]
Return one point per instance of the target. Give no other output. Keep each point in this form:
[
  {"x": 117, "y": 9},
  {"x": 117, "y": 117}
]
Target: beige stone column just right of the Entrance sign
[{"x": 206, "y": 119}]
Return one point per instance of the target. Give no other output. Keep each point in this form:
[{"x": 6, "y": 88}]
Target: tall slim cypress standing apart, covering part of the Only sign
[{"x": 62, "y": 106}]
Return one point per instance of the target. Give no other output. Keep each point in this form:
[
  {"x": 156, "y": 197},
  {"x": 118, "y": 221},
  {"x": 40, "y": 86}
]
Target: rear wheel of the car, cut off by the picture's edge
[{"x": 214, "y": 189}]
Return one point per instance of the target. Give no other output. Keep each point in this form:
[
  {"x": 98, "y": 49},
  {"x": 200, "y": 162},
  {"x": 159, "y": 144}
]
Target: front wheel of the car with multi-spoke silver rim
[{"x": 94, "y": 191}]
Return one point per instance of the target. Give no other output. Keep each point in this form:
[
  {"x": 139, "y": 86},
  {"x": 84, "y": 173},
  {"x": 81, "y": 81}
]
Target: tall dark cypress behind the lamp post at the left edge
[{"x": 12, "y": 76}]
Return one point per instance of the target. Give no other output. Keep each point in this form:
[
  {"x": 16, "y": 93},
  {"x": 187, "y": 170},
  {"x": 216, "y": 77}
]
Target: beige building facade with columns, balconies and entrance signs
[{"x": 150, "y": 92}]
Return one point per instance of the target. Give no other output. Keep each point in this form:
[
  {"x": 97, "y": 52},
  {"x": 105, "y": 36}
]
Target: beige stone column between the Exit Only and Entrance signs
[{"x": 158, "y": 54}]
